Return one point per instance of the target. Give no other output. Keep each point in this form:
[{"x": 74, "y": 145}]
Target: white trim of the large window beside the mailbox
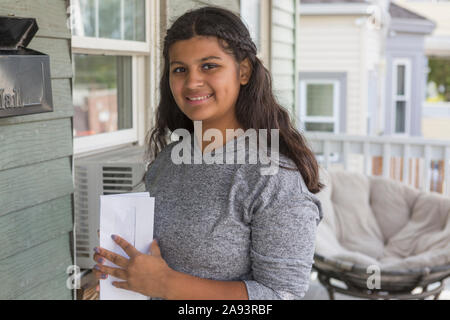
[{"x": 140, "y": 52}]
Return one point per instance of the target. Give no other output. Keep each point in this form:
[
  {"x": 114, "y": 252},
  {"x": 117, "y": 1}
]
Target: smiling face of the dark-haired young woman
[{"x": 205, "y": 80}]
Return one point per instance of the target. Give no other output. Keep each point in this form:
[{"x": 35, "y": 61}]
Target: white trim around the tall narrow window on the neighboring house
[{"x": 406, "y": 97}]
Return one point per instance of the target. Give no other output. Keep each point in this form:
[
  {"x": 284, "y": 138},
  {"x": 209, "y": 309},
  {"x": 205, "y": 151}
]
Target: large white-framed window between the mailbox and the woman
[{"x": 110, "y": 43}]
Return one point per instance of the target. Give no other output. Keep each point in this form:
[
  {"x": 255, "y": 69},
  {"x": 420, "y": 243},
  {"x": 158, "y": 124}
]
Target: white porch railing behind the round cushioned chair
[{"x": 418, "y": 162}]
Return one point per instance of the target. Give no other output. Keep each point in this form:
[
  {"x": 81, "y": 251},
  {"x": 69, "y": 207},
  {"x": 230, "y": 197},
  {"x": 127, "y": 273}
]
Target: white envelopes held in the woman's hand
[{"x": 130, "y": 216}]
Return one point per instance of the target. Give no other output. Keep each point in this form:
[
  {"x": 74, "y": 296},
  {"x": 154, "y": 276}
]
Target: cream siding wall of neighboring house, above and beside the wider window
[{"x": 339, "y": 44}]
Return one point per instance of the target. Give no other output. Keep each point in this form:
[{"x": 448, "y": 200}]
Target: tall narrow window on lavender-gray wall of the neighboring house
[{"x": 401, "y": 98}]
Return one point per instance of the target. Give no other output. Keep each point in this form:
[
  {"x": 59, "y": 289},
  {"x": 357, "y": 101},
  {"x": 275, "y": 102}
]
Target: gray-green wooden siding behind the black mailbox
[{"x": 36, "y": 183}]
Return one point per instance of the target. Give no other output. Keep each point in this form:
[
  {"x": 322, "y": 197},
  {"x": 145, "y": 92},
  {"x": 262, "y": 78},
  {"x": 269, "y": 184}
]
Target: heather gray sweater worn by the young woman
[{"x": 229, "y": 222}]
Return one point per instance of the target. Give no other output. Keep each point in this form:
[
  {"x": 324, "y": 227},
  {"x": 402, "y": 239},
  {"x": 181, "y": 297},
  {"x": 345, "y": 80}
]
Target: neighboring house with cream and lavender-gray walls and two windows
[{"x": 361, "y": 67}]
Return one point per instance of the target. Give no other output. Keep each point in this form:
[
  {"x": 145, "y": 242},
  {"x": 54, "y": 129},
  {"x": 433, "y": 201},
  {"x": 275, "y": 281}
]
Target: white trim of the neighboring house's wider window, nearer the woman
[{"x": 319, "y": 119}]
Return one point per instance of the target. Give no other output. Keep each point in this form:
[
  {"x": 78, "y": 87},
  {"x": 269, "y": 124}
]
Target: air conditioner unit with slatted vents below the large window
[{"x": 115, "y": 172}]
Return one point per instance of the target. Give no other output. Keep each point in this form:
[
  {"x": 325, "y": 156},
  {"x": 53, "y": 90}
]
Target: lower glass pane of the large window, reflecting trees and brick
[{"x": 102, "y": 91}]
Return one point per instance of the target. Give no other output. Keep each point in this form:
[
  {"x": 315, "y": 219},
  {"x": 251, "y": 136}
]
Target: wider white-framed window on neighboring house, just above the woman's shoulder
[{"x": 320, "y": 105}]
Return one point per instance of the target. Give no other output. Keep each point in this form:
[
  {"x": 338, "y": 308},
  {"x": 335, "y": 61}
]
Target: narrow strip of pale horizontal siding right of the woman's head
[{"x": 284, "y": 64}]
